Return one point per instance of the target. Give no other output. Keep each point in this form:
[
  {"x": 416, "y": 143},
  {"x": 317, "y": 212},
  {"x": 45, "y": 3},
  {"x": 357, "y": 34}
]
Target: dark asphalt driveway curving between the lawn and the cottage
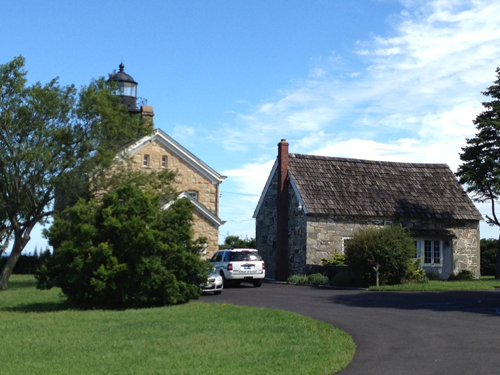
[{"x": 396, "y": 332}]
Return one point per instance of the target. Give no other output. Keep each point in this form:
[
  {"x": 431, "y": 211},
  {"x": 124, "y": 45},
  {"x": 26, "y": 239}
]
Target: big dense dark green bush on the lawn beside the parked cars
[{"x": 124, "y": 251}]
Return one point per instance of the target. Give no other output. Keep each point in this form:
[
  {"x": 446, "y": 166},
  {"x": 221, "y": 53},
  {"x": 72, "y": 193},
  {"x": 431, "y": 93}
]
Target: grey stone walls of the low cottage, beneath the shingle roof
[{"x": 312, "y": 238}]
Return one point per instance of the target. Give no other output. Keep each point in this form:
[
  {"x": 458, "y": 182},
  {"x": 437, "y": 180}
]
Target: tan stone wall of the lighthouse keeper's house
[{"x": 187, "y": 179}]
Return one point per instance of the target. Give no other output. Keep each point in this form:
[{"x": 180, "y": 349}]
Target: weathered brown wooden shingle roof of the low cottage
[{"x": 340, "y": 186}]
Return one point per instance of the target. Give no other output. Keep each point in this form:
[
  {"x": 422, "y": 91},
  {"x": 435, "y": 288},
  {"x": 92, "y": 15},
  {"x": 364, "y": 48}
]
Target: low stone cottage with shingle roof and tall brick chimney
[{"x": 311, "y": 205}]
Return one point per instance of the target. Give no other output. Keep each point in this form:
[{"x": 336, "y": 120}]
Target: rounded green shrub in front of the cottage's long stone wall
[{"x": 391, "y": 247}]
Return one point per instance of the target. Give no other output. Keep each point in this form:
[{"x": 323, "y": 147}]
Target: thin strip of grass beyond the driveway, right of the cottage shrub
[{"x": 485, "y": 283}]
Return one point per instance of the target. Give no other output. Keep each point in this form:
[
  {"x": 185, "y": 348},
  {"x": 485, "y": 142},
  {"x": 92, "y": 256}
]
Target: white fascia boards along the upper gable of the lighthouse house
[{"x": 178, "y": 149}]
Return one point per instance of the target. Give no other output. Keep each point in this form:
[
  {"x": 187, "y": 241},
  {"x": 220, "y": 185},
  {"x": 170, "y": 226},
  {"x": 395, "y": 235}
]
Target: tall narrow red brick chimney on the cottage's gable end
[{"x": 282, "y": 213}]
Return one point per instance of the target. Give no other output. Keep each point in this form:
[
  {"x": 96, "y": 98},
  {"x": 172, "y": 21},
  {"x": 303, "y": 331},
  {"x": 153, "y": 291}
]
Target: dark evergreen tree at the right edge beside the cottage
[{"x": 480, "y": 170}]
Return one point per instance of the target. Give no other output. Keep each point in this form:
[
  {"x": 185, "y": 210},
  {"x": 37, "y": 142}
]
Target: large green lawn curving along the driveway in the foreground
[{"x": 40, "y": 335}]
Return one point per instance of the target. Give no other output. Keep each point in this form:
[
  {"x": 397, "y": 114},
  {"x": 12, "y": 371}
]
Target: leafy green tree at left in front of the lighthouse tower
[{"x": 52, "y": 138}]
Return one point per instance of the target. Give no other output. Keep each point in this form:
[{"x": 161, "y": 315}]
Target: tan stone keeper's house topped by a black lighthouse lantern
[{"x": 195, "y": 181}]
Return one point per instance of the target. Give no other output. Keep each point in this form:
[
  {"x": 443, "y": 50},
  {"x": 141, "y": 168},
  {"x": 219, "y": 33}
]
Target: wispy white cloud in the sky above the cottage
[{"x": 413, "y": 101}]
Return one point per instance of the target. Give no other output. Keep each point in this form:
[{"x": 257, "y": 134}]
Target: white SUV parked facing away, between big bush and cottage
[{"x": 239, "y": 265}]
